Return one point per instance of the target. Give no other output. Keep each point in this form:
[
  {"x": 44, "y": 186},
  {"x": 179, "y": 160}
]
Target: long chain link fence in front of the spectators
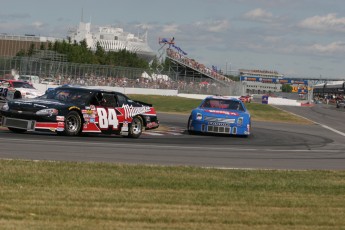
[{"x": 104, "y": 75}]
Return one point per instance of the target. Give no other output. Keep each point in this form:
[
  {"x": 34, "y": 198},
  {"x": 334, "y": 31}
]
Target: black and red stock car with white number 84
[{"x": 72, "y": 111}]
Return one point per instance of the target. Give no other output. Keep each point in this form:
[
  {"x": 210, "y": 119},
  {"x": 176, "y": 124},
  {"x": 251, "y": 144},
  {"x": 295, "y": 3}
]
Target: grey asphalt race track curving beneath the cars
[{"x": 271, "y": 145}]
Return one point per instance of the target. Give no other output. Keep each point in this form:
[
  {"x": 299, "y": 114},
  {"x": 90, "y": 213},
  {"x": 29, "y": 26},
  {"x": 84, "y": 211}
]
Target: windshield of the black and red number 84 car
[{"x": 67, "y": 95}]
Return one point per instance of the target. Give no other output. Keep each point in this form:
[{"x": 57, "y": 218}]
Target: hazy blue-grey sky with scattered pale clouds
[{"x": 297, "y": 38}]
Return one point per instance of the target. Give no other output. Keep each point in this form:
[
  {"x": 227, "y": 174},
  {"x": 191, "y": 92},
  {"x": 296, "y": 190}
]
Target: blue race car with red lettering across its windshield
[{"x": 221, "y": 115}]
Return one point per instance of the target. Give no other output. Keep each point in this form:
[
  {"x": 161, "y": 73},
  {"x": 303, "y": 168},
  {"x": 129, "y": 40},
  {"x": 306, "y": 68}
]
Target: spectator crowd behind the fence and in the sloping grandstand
[{"x": 212, "y": 82}]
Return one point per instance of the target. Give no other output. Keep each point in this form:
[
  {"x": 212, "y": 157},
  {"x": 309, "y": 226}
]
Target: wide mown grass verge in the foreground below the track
[{"x": 57, "y": 195}]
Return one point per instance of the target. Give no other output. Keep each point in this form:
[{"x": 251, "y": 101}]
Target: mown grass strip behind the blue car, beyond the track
[{"x": 259, "y": 112}]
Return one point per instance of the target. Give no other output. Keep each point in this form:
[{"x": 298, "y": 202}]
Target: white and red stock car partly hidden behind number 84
[{"x": 15, "y": 89}]
